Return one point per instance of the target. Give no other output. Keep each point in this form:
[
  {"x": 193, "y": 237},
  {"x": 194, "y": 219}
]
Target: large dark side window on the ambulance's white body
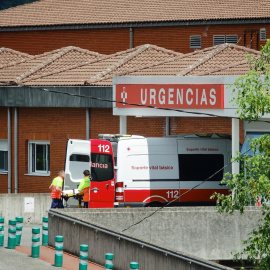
[{"x": 199, "y": 167}]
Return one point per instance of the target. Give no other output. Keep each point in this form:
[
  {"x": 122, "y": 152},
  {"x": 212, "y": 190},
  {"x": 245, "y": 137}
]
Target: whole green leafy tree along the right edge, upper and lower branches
[{"x": 252, "y": 96}]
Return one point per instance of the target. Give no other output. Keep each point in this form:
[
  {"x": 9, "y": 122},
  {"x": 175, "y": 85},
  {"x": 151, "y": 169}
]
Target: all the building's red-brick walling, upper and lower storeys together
[{"x": 58, "y": 124}]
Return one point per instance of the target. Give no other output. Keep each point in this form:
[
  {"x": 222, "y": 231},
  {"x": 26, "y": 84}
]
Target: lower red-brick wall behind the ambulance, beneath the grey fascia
[{"x": 58, "y": 124}]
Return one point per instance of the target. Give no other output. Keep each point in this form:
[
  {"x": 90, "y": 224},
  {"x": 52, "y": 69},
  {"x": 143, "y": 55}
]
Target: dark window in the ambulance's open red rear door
[{"x": 101, "y": 167}]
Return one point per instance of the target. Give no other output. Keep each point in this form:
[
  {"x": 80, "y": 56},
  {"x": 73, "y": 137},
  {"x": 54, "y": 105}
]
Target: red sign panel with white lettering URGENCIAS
[{"x": 184, "y": 96}]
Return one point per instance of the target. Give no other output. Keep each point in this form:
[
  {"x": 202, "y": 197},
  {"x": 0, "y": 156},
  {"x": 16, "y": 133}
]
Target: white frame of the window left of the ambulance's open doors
[{"x": 33, "y": 155}]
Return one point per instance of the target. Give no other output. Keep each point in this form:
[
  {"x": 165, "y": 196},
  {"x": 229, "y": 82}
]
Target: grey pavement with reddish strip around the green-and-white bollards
[{"x": 20, "y": 257}]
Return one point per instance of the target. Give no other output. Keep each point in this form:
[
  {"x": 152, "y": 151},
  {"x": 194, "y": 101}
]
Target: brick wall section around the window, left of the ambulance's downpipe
[{"x": 50, "y": 124}]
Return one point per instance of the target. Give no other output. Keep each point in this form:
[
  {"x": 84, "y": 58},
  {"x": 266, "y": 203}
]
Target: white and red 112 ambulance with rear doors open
[{"x": 138, "y": 171}]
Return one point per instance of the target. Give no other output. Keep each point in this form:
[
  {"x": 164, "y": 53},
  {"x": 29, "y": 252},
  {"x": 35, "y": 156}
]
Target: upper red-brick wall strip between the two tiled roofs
[{"x": 111, "y": 40}]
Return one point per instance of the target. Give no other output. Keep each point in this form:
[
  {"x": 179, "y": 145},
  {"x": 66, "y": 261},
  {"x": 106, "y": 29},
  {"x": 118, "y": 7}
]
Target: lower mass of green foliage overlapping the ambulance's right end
[{"x": 251, "y": 183}]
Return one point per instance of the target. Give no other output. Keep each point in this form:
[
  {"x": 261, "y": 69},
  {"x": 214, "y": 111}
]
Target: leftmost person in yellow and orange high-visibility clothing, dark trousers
[{"x": 56, "y": 190}]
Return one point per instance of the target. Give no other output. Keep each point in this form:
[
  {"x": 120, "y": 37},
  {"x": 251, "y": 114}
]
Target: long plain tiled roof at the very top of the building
[{"x": 63, "y": 12}]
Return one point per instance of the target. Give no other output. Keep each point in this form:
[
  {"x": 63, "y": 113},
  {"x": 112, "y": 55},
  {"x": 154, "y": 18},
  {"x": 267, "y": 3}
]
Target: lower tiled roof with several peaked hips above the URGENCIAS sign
[{"x": 74, "y": 66}]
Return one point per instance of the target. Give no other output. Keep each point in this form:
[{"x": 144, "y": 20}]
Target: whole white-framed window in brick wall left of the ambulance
[{"x": 39, "y": 157}]
